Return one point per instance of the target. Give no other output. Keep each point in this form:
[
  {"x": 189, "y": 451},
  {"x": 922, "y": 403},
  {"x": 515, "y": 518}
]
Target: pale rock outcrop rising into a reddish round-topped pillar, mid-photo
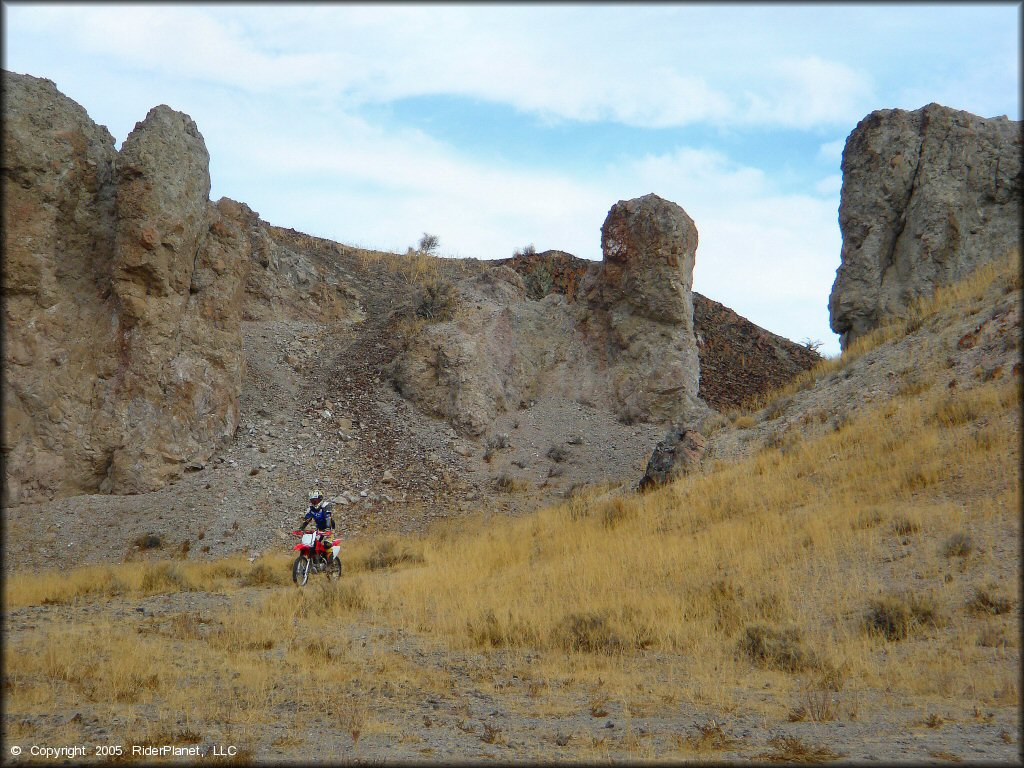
[{"x": 626, "y": 344}]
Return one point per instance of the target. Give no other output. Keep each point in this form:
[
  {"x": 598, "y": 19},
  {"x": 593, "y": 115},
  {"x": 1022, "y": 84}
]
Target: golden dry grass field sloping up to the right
[{"x": 851, "y": 594}]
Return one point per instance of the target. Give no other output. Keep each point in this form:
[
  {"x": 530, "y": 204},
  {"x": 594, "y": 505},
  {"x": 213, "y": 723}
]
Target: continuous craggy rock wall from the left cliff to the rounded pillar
[{"x": 126, "y": 291}]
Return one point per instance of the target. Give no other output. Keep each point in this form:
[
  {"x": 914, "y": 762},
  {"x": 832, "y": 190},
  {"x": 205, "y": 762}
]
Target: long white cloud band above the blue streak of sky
[{"x": 568, "y": 63}]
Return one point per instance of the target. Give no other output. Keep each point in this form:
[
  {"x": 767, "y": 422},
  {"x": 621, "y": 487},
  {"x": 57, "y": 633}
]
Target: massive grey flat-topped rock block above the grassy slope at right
[{"x": 927, "y": 196}]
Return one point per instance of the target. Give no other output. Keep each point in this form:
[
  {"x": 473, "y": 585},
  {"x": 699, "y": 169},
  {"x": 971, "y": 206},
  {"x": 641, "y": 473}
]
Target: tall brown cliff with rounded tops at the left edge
[{"x": 122, "y": 300}]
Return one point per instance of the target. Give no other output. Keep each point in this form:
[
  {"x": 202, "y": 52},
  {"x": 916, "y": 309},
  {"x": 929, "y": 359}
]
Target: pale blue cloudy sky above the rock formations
[{"x": 499, "y": 126}]
